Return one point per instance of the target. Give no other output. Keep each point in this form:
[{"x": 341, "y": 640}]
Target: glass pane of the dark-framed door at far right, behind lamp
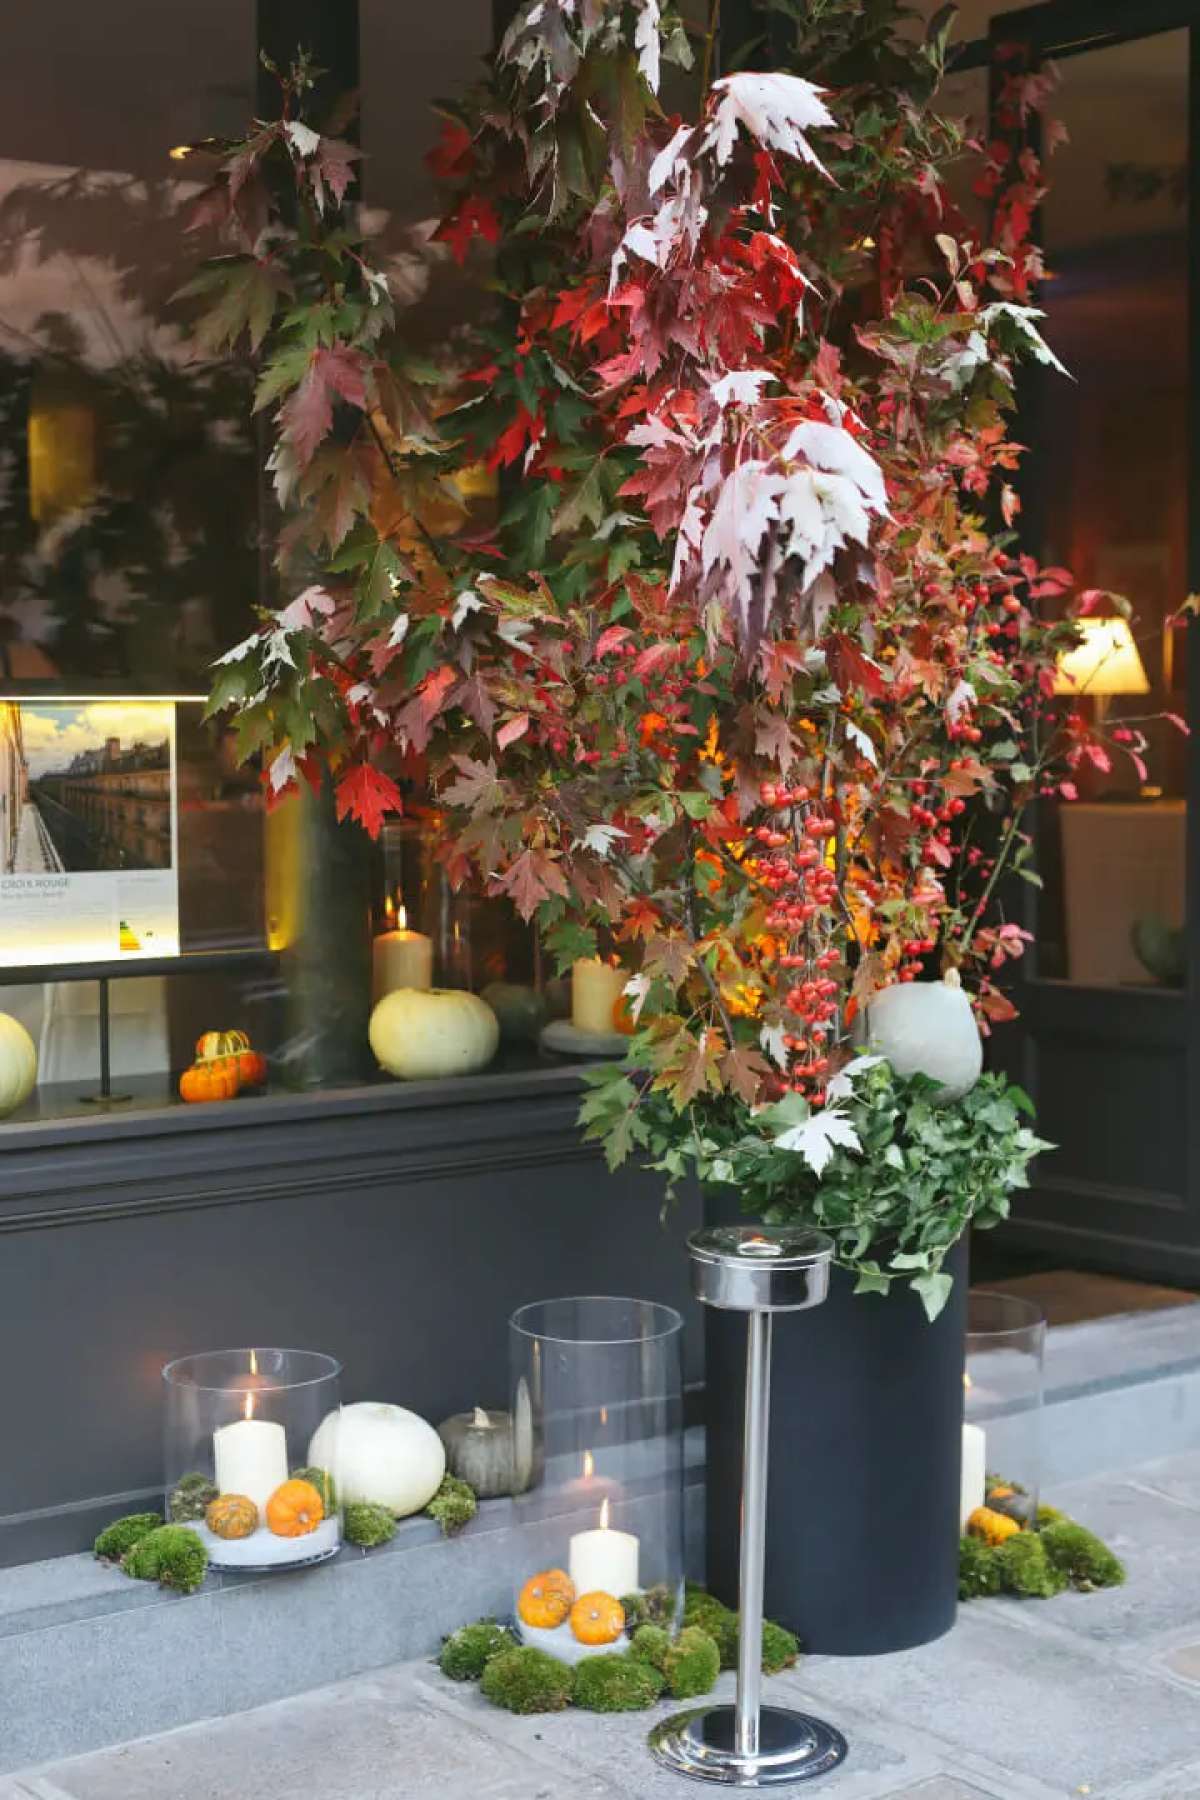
[{"x": 1111, "y": 496}]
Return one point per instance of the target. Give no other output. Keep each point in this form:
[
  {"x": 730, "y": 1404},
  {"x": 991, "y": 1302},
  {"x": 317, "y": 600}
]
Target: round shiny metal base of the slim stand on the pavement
[{"x": 793, "y": 1749}]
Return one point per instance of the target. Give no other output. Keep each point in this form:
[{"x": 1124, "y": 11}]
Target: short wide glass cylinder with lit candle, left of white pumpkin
[{"x": 238, "y": 1470}]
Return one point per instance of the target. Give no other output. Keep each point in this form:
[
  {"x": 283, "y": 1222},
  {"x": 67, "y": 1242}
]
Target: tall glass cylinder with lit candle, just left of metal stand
[{"x": 598, "y": 1410}]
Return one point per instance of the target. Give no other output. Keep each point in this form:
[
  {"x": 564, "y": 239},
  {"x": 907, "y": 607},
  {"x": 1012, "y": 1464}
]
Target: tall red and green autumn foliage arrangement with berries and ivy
[{"x": 748, "y": 679}]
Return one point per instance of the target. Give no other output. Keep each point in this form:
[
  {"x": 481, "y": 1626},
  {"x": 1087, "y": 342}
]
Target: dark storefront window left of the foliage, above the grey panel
[{"x": 136, "y": 543}]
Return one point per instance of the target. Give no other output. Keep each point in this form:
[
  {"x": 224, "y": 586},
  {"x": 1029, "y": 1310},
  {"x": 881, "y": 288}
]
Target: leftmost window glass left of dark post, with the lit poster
[{"x": 129, "y": 526}]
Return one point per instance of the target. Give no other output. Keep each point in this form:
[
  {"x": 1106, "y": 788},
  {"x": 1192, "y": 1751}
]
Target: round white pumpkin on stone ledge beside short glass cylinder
[{"x": 381, "y": 1453}]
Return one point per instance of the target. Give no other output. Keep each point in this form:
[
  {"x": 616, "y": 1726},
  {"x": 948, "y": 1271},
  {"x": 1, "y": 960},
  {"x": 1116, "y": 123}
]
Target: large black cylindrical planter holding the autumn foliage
[{"x": 866, "y": 1443}]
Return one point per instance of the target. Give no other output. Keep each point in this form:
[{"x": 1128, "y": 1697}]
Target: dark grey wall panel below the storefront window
[{"x": 393, "y": 1227}]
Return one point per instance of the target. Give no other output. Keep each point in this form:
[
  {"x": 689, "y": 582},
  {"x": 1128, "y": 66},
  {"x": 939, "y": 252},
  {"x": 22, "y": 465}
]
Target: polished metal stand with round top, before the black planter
[{"x": 760, "y": 1272}]
